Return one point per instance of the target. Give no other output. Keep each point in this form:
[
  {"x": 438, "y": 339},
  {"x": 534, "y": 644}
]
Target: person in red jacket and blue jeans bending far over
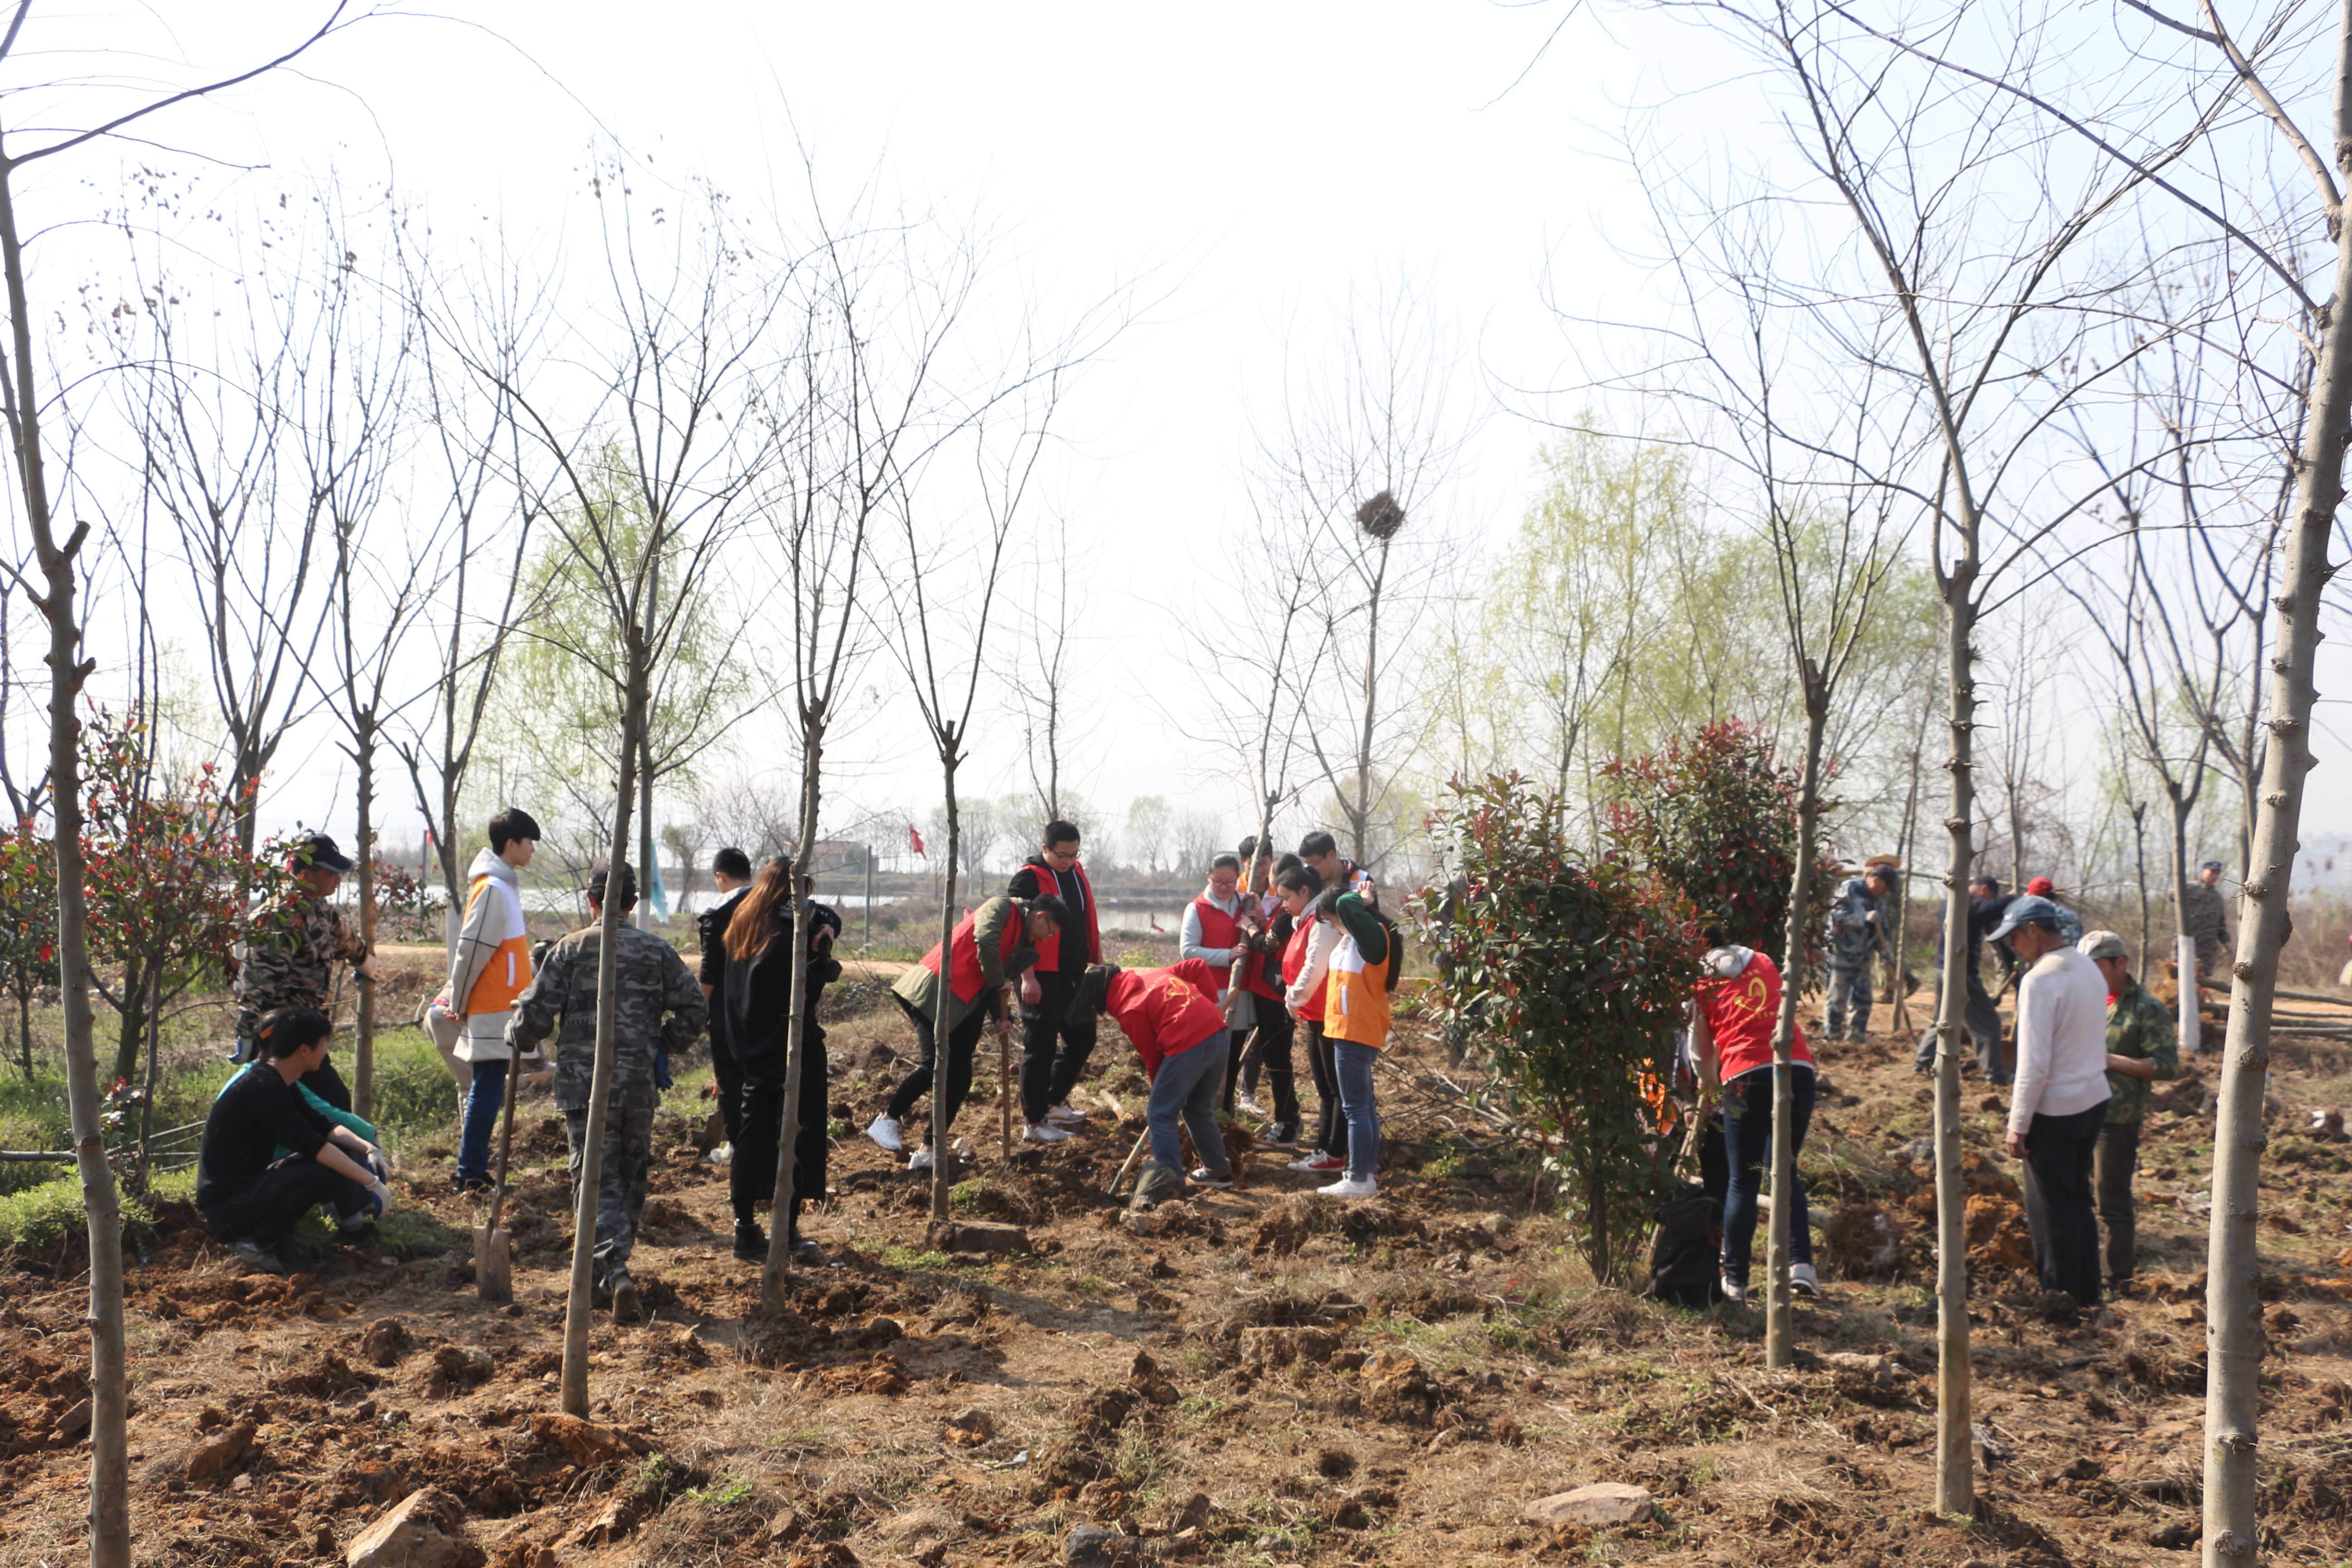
[{"x": 1180, "y": 1031}]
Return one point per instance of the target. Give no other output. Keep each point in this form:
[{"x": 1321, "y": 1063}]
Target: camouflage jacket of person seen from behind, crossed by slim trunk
[{"x": 660, "y": 1005}]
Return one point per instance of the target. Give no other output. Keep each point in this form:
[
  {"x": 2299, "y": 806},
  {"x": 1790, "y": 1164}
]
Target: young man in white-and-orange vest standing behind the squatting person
[{"x": 488, "y": 970}]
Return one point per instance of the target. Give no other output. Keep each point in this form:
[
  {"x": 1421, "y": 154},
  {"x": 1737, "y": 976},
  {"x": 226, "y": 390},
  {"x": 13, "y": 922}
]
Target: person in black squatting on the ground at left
[{"x": 272, "y": 1155}]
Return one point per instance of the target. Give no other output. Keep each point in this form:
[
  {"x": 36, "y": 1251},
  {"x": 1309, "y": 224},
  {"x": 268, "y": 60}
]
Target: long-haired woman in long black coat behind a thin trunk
[{"x": 763, "y": 949}]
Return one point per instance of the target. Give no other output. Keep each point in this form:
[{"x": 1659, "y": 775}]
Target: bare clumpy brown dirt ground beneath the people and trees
[{"x": 1262, "y": 1379}]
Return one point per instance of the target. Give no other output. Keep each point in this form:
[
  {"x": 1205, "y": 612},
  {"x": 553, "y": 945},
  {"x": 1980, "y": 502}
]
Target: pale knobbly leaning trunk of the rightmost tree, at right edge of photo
[{"x": 2233, "y": 1311}]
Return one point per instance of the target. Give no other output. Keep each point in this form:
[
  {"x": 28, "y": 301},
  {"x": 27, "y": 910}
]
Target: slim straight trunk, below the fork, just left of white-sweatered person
[{"x": 1956, "y": 1482}]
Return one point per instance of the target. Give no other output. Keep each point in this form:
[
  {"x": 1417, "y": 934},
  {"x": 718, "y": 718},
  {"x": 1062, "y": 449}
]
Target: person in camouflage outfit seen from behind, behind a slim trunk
[{"x": 657, "y": 1005}]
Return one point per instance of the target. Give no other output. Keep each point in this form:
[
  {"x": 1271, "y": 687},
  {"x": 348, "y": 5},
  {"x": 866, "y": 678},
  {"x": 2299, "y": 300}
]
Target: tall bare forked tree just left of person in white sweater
[{"x": 1958, "y": 293}]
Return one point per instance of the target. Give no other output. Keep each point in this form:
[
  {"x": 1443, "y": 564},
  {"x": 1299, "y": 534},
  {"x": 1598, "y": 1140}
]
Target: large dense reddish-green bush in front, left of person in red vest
[{"x": 1575, "y": 974}]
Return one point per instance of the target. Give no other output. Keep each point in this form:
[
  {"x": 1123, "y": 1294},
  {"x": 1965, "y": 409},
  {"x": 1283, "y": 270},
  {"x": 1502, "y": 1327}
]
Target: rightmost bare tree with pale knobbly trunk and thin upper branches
[{"x": 2280, "y": 241}]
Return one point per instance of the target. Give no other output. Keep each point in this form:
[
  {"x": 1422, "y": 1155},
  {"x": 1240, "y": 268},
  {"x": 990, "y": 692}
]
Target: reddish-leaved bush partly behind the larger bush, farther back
[{"x": 1716, "y": 817}]
